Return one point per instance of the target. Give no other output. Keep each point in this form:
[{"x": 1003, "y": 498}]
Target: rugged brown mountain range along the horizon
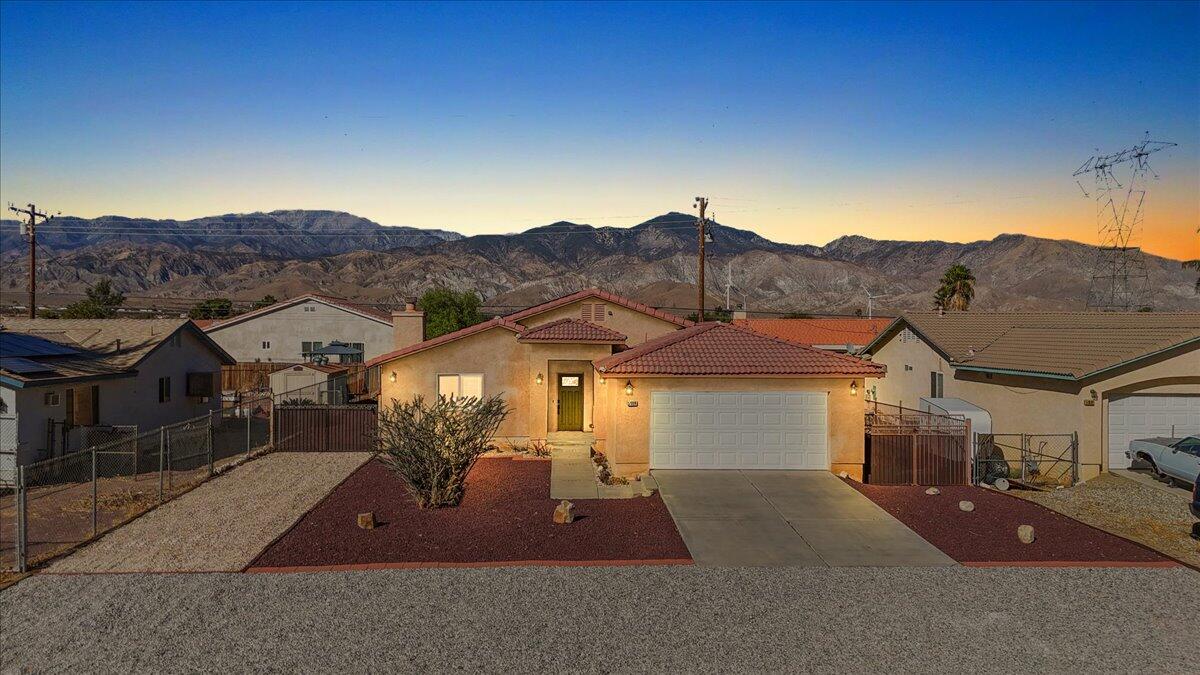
[{"x": 287, "y": 253}]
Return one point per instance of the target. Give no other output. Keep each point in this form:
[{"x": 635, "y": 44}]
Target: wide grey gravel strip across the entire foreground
[{"x": 596, "y": 620}]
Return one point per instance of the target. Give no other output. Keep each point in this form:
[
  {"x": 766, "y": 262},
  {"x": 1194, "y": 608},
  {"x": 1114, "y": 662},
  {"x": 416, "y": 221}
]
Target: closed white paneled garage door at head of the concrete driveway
[{"x": 740, "y": 431}]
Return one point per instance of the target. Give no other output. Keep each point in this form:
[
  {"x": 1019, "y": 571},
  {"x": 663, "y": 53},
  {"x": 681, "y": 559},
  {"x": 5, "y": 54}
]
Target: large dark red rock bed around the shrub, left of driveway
[{"x": 506, "y": 517}]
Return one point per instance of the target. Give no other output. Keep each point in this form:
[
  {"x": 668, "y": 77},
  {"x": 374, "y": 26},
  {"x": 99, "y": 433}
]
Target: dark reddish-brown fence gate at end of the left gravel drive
[{"x": 326, "y": 429}]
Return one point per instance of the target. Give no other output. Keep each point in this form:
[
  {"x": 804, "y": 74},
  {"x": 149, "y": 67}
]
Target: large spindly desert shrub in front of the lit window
[{"x": 433, "y": 447}]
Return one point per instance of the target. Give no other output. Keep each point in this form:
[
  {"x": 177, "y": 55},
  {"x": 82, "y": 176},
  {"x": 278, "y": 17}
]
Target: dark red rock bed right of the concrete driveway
[{"x": 988, "y": 535}]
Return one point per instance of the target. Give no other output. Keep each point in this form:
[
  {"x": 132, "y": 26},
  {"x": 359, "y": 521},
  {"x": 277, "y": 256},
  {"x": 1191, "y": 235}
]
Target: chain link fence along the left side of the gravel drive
[{"x": 59, "y": 504}]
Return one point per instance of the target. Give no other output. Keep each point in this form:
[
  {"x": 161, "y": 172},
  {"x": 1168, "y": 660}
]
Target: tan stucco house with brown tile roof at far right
[{"x": 1112, "y": 378}]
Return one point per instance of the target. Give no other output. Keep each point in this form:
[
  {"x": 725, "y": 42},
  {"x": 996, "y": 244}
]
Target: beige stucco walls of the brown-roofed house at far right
[{"x": 1033, "y": 405}]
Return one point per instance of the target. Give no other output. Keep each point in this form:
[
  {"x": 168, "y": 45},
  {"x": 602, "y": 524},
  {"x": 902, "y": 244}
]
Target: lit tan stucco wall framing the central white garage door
[{"x": 626, "y": 433}]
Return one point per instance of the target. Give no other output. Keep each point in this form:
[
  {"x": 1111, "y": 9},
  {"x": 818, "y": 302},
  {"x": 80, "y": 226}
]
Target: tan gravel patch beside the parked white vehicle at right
[{"x": 1147, "y": 515}]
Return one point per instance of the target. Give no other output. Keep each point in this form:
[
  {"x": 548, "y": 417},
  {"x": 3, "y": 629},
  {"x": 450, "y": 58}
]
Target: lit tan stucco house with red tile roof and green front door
[{"x": 652, "y": 390}]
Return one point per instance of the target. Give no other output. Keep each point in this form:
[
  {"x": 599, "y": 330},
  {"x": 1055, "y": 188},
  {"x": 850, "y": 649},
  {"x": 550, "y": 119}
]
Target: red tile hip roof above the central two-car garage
[{"x": 721, "y": 349}]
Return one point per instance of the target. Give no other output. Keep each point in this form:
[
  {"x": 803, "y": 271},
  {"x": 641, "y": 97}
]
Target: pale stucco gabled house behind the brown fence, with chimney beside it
[{"x": 302, "y": 328}]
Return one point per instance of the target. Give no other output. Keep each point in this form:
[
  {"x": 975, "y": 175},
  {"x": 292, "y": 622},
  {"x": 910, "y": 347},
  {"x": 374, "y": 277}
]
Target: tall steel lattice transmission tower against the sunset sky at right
[{"x": 1119, "y": 273}]
